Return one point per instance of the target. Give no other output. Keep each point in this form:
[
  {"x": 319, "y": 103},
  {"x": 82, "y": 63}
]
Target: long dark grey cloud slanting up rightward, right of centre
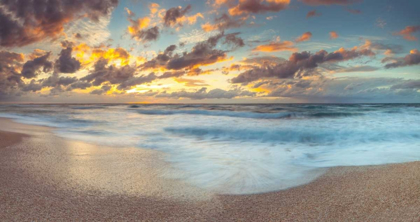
[{"x": 299, "y": 64}]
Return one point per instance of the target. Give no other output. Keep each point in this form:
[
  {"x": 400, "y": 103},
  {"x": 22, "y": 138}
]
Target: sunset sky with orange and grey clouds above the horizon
[{"x": 209, "y": 51}]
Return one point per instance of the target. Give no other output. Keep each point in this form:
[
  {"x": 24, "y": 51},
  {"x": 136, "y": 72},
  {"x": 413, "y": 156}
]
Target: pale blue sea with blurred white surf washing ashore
[{"x": 242, "y": 149}]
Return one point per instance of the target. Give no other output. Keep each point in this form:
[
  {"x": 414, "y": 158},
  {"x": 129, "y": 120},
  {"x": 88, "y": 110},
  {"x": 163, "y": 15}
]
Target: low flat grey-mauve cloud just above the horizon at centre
[{"x": 204, "y": 94}]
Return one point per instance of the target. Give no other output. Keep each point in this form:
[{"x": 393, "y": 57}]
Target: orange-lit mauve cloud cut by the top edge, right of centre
[{"x": 258, "y": 6}]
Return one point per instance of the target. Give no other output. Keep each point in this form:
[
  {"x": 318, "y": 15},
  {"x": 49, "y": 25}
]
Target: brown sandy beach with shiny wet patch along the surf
[{"x": 47, "y": 178}]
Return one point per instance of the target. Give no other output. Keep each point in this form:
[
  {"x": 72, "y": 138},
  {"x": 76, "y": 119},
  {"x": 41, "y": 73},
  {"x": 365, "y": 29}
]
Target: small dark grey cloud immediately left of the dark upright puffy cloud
[{"x": 31, "y": 67}]
